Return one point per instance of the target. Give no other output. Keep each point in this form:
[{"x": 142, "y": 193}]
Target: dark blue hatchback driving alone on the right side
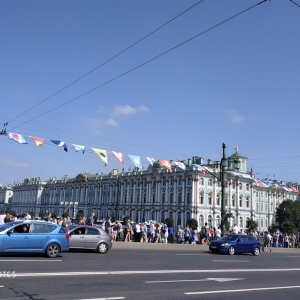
[{"x": 236, "y": 243}]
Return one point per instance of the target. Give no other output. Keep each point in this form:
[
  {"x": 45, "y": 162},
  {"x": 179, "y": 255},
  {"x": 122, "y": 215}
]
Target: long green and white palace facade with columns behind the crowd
[{"x": 156, "y": 194}]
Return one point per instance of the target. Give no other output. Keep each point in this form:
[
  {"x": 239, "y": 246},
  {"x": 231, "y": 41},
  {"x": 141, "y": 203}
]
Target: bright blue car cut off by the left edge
[{"x": 33, "y": 237}]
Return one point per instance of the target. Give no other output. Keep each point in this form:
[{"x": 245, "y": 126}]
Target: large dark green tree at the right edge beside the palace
[{"x": 289, "y": 210}]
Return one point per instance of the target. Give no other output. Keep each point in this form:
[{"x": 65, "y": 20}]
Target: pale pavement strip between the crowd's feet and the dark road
[{"x": 184, "y": 247}]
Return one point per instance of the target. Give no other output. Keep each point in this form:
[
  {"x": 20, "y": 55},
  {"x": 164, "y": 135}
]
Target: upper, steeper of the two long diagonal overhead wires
[{"x": 107, "y": 61}]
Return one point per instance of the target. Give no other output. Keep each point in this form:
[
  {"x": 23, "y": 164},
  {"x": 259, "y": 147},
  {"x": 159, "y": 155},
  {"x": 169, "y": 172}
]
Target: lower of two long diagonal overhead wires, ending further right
[{"x": 143, "y": 64}]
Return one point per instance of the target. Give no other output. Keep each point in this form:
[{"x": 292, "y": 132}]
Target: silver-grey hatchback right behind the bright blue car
[{"x": 89, "y": 238}]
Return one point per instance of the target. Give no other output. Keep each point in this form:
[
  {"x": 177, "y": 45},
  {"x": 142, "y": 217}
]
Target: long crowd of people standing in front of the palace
[{"x": 154, "y": 232}]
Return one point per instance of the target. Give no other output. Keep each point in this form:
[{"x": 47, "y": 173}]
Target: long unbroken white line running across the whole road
[{"x": 48, "y": 274}]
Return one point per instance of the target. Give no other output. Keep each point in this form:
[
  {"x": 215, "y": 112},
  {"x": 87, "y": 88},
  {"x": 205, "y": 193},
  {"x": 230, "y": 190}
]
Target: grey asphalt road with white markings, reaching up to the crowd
[{"x": 131, "y": 271}]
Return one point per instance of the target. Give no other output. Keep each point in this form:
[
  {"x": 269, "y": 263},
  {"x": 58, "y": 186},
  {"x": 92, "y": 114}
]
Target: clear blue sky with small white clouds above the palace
[{"x": 237, "y": 83}]
